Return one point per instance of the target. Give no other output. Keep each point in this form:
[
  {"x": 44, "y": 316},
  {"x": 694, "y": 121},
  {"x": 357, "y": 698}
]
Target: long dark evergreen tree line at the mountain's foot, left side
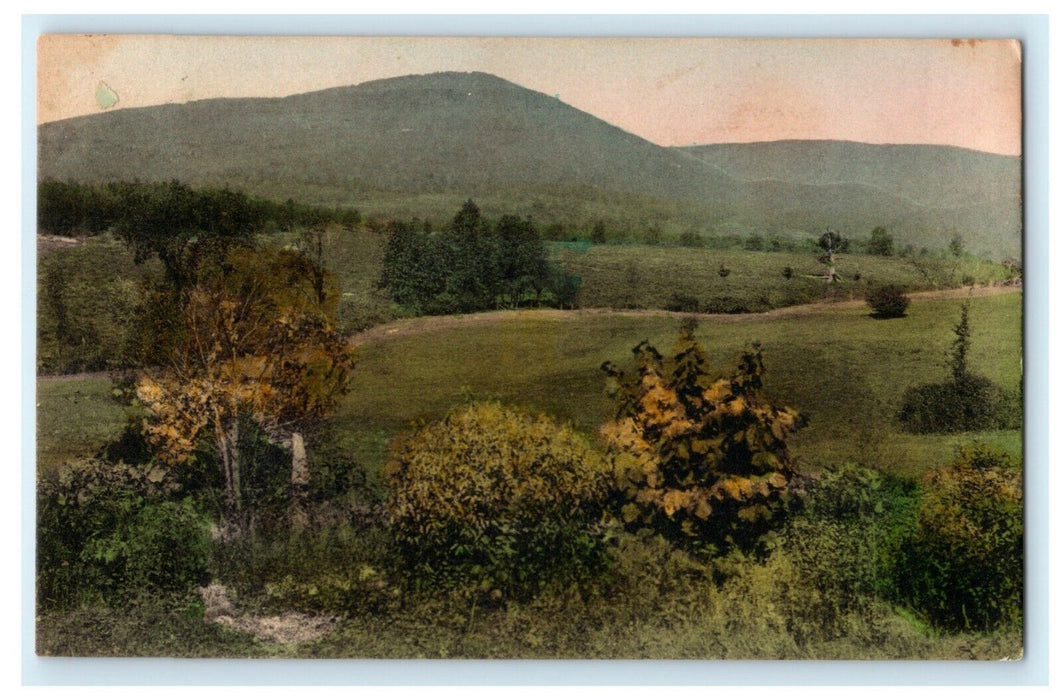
[{"x": 66, "y": 209}]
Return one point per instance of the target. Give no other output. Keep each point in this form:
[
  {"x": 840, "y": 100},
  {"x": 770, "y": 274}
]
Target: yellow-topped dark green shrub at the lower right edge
[{"x": 964, "y": 568}]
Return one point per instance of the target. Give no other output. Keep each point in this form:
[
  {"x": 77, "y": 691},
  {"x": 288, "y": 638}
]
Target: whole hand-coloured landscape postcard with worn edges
[{"x": 450, "y": 348}]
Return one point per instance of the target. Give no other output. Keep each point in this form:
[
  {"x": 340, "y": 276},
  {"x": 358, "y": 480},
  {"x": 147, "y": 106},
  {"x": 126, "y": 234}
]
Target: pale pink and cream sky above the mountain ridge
[{"x": 670, "y": 92}]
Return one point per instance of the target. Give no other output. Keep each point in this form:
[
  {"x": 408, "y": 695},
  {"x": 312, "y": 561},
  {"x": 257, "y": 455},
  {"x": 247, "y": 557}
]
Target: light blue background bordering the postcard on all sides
[{"x": 1034, "y": 670}]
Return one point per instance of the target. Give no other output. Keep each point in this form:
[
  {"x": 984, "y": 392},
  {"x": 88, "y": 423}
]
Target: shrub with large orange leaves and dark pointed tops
[{"x": 701, "y": 460}]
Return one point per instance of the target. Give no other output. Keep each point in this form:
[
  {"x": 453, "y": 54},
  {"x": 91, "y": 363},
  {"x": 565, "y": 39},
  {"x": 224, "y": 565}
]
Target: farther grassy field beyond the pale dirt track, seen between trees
[{"x": 100, "y": 288}]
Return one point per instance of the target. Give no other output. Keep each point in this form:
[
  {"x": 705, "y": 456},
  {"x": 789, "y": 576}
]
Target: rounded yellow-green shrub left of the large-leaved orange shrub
[{"x": 498, "y": 500}]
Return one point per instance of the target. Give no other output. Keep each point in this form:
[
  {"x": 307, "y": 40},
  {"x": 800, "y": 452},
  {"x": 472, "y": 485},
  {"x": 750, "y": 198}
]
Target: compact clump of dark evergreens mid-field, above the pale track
[{"x": 474, "y": 265}]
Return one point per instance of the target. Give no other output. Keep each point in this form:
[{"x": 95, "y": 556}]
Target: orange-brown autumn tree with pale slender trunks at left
[{"x": 256, "y": 340}]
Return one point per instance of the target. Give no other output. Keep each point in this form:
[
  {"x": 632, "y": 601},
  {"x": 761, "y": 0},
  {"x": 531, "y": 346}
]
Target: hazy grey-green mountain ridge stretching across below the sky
[{"x": 421, "y": 144}]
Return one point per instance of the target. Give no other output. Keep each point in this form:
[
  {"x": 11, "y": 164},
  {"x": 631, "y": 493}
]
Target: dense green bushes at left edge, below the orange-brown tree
[{"x": 107, "y": 532}]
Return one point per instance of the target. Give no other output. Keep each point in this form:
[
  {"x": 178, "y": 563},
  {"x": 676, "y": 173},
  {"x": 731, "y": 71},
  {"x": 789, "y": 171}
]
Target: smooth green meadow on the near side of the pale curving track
[{"x": 843, "y": 369}]
